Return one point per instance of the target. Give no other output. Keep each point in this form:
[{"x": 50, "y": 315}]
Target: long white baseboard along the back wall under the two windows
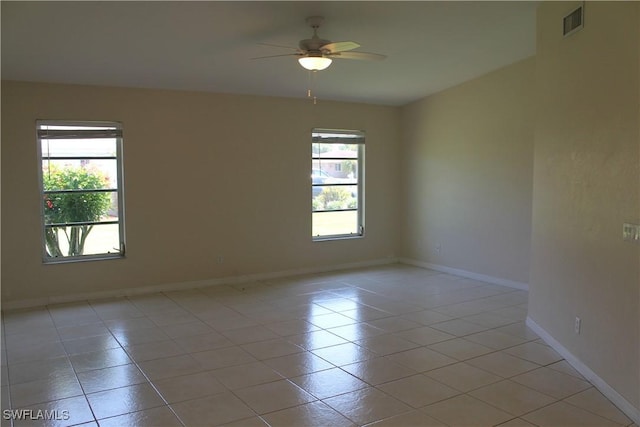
[{"x": 231, "y": 280}]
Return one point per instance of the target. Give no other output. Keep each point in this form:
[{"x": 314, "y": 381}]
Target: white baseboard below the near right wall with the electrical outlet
[{"x": 623, "y": 404}]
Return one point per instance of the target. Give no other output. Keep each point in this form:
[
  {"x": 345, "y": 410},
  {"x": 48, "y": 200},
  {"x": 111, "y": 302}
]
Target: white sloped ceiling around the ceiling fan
[{"x": 208, "y": 45}]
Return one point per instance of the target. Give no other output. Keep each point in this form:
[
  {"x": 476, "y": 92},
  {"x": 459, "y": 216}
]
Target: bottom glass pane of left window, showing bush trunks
[{"x": 98, "y": 239}]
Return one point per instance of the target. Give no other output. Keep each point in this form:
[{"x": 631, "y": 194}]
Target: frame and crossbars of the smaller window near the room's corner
[{"x": 342, "y": 136}]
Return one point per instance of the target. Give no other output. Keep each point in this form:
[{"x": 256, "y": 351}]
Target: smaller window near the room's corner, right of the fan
[{"x": 337, "y": 191}]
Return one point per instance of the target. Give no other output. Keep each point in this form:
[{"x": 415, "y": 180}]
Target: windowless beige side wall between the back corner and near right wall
[{"x": 466, "y": 162}]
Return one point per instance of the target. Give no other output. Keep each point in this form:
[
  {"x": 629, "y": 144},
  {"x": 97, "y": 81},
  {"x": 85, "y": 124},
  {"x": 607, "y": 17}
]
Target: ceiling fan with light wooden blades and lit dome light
[{"x": 316, "y": 54}]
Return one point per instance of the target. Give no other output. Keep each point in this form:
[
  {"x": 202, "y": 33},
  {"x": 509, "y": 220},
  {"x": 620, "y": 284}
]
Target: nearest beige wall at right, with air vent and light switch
[{"x": 586, "y": 180}]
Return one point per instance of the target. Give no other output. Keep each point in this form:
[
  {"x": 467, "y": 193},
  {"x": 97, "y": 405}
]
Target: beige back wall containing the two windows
[{"x": 206, "y": 175}]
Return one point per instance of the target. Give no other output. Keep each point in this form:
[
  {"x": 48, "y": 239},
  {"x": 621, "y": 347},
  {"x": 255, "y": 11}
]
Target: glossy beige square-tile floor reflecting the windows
[{"x": 385, "y": 346}]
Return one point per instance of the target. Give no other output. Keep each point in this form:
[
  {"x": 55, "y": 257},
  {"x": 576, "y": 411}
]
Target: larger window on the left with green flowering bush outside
[{"x": 81, "y": 190}]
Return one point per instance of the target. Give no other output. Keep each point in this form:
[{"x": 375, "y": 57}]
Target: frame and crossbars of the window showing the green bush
[{"x": 95, "y": 130}]
